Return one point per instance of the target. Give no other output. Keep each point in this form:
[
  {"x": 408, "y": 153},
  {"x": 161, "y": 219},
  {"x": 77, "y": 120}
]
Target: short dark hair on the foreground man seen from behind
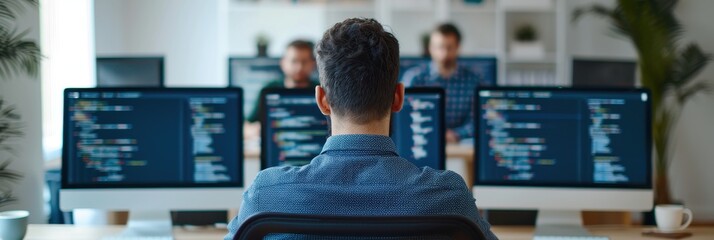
[{"x": 358, "y": 62}]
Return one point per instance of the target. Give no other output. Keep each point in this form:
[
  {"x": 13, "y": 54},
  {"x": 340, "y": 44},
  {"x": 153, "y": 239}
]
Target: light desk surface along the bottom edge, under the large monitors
[{"x": 43, "y": 231}]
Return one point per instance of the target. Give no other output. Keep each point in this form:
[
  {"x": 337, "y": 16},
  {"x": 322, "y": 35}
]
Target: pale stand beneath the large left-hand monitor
[{"x": 149, "y": 223}]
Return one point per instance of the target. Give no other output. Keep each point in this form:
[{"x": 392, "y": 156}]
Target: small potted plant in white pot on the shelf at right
[{"x": 525, "y": 44}]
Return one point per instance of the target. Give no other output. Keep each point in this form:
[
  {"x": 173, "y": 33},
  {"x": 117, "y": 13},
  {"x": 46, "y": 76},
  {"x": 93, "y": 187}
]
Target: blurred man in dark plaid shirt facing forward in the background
[{"x": 458, "y": 81}]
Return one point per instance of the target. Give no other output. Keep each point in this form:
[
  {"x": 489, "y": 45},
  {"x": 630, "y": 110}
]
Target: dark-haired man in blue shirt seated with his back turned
[{"x": 358, "y": 171}]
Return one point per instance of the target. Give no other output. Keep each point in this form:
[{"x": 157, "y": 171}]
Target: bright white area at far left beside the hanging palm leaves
[{"x": 68, "y": 50}]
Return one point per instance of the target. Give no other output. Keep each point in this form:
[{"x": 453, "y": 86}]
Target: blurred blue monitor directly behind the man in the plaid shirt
[{"x": 484, "y": 66}]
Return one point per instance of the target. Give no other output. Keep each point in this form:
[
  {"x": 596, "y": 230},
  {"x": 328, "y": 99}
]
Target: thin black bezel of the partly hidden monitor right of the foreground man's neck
[{"x": 442, "y": 125}]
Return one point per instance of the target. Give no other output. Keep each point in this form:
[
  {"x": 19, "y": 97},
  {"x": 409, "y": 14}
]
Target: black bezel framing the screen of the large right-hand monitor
[{"x": 648, "y": 143}]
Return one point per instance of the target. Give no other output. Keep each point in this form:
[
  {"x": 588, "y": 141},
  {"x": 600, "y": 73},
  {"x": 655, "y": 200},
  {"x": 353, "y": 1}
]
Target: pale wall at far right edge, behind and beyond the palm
[{"x": 694, "y": 148}]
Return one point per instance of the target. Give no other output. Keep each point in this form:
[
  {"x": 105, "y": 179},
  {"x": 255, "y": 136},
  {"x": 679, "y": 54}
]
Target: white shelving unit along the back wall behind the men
[{"x": 487, "y": 28}]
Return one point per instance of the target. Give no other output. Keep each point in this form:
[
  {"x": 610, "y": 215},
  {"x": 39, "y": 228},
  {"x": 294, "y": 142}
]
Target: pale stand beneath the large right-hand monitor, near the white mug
[{"x": 559, "y": 223}]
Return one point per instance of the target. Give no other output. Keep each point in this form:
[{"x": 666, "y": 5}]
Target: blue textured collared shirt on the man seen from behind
[{"x": 358, "y": 175}]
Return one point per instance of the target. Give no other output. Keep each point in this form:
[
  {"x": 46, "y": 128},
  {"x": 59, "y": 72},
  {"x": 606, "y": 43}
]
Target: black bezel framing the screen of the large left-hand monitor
[{"x": 65, "y": 184}]
